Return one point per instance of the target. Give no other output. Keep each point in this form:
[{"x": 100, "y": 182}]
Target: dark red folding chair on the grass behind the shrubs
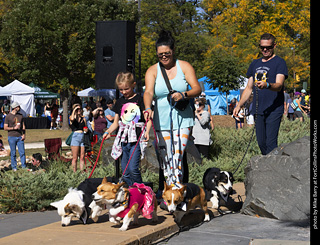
[{"x": 53, "y": 148}]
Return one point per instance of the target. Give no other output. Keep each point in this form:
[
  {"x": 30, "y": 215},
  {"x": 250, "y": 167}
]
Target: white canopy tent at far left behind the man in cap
[{"x": 24, "y": 95}]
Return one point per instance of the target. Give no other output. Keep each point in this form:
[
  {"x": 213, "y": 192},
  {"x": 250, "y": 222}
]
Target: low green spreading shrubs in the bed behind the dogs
[{"x": 25, "y": 191}]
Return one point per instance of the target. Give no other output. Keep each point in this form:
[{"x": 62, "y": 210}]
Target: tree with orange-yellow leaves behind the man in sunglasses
[{"x": 238, "y": 25}]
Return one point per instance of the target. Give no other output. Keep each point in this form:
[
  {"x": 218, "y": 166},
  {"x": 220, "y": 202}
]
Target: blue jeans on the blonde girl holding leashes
[{"x": 132, "y": 174}]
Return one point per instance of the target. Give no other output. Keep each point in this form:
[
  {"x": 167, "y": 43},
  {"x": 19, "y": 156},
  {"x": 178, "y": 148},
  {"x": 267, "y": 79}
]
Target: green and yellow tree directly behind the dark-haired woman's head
[{"x": 183, "y": 19}]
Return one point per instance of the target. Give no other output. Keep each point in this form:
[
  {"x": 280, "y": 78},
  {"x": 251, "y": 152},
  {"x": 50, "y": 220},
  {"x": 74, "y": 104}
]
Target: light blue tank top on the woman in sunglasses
[{"x": 180, "y": 119}]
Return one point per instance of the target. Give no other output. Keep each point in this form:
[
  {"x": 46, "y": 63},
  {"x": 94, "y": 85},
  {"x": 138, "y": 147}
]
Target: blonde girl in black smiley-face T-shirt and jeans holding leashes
[{"x": 130, "y": 121}]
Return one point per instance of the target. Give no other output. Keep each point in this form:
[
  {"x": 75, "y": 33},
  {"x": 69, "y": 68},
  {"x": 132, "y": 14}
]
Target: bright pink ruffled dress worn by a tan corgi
[{"x": 143, "y": 195}]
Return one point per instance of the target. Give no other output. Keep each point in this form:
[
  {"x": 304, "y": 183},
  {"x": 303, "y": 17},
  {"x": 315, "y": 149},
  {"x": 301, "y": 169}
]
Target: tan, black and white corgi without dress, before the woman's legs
[{"x": 180, "y": 201}]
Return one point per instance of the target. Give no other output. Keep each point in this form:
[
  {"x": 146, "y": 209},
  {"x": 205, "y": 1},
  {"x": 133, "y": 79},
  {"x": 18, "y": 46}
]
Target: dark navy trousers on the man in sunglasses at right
[{"x": 267, "y": 129}]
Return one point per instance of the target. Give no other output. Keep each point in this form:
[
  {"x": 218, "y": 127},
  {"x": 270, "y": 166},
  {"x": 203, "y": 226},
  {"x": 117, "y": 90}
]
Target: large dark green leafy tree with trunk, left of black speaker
[{"x": 52, "y": 42}]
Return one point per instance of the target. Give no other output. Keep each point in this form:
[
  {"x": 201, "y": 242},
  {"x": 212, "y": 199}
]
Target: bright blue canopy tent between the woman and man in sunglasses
[{"x": 217, "y": 99}]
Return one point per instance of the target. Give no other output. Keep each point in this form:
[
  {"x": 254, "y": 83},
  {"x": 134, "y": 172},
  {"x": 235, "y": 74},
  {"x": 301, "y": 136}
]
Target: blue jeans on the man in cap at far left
[{"x": 14, "y": 142}]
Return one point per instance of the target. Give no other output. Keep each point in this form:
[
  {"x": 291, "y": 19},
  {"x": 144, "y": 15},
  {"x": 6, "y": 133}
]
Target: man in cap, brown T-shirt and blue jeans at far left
[{"x": 16, "y": 128}]
